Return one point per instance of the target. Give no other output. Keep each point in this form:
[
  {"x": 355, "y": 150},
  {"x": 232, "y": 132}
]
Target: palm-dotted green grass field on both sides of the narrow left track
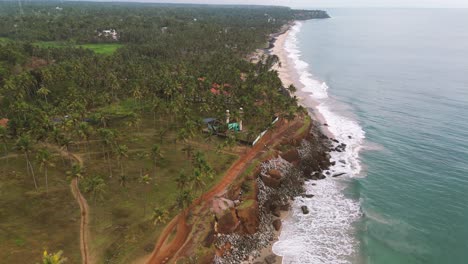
[{"x": 121, "y": 226}]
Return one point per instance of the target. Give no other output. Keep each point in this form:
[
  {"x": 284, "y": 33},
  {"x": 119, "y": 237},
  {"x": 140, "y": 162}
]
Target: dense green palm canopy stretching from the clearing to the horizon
[{"x": 167, "y": 49}]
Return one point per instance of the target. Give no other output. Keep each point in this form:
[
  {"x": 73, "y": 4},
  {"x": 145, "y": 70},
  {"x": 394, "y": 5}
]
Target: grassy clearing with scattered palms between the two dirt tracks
[{"x": 121, "y": 221}]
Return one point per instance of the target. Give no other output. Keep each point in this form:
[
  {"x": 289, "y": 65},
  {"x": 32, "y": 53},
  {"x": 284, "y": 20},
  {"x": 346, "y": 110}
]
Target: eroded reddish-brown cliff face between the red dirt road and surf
[{"x": 252, "y": 207}]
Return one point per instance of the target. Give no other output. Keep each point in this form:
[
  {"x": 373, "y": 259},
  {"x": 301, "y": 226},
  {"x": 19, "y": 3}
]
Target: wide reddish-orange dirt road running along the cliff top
[{"x": 165, "y": 250}]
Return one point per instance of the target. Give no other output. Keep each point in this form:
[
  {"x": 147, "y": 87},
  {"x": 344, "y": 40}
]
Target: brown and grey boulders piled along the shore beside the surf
[{"x": 279, "y": 180}]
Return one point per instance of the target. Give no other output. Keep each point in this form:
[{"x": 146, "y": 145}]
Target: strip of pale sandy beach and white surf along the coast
[{"x": 343, "y": 152}]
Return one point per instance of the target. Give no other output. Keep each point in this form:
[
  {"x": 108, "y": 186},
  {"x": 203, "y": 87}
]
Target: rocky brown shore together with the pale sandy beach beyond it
[{"x": 277, "y": 180}]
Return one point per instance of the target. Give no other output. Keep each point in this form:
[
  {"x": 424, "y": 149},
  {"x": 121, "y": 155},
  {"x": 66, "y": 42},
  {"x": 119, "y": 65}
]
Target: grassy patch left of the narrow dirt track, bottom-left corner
[{"x": 34, "y": 221}]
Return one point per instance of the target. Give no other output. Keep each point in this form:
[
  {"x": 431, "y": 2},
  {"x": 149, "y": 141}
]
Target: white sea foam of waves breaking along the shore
[{"x": 326, "y": 234}]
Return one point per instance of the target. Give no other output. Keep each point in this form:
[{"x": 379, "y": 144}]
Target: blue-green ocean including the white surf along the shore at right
[{"x": 392, "y": 84}]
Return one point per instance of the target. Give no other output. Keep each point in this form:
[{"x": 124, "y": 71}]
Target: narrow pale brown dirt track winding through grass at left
[{"x": 84, "y": 209}]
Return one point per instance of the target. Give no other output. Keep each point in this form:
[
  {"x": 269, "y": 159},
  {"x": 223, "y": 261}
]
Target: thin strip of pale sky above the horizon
[{"x": 328, "y": 3}]
